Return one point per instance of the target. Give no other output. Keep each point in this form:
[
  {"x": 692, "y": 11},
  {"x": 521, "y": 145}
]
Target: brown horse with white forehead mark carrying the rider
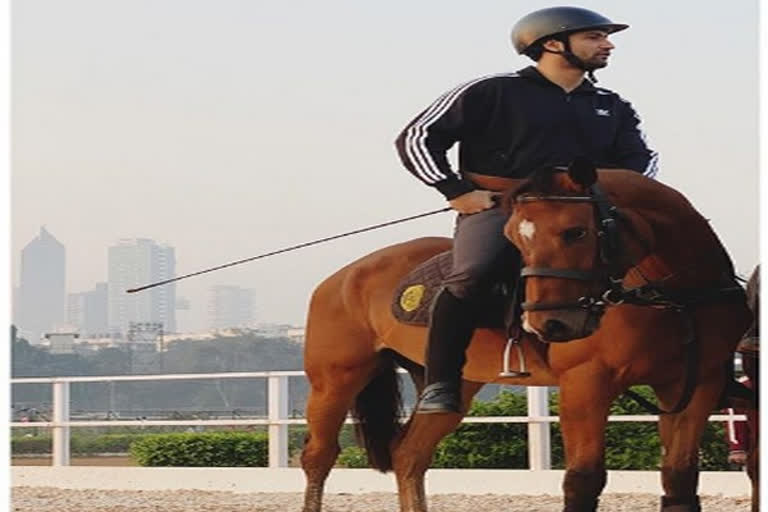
[{"x": 637, "y": 287}]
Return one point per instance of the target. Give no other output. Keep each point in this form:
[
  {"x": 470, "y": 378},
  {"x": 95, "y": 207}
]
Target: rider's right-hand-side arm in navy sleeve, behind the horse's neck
[{"x": 630, "y": 149}]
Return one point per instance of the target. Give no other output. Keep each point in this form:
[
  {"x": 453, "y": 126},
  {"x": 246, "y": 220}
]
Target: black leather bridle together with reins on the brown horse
[{"x": 610, "y": 273}]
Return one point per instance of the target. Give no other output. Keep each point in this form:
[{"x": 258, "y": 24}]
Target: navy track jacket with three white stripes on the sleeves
[{"x": 511, "y": 125}]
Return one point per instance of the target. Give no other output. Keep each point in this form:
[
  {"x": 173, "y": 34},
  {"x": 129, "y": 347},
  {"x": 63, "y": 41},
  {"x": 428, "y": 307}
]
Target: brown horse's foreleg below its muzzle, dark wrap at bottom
[{"x": 586, "y": 393}]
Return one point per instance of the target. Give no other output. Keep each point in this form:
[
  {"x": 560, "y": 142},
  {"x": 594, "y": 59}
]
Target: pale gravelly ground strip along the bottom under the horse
[{"x": 48, "y": 499}]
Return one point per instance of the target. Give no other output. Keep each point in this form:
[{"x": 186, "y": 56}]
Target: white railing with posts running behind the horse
[{"x": 277, "y": 420}]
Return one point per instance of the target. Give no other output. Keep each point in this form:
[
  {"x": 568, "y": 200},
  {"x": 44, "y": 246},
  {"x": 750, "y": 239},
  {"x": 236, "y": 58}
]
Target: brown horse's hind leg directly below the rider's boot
[{"x": 413, "y": 452}]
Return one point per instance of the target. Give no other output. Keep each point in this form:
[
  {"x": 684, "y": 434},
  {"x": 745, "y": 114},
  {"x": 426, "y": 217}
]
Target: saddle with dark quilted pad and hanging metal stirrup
[{"x": 415, "y": 293}]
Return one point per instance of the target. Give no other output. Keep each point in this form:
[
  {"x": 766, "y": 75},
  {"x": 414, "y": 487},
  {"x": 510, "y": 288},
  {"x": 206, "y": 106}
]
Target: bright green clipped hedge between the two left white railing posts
[{"x": 213, "y": 449}]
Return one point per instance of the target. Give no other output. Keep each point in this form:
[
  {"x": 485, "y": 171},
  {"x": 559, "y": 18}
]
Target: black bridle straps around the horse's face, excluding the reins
[{"x": 609, "y": 257}]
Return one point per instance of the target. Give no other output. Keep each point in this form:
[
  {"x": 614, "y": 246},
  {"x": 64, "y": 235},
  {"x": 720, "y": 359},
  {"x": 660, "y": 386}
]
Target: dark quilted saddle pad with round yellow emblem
[{"x": 413, "y": 297}]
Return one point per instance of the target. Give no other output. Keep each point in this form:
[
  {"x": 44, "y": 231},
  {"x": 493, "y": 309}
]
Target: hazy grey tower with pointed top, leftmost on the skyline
[{"x": 42, "y": 292}]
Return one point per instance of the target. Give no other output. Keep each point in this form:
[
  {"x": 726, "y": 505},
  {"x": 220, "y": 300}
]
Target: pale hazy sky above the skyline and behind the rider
[{"x": 228, "y": 128}]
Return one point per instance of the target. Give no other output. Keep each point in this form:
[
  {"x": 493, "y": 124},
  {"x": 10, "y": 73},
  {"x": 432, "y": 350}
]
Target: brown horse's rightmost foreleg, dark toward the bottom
[{"x": 680, "y": 436}]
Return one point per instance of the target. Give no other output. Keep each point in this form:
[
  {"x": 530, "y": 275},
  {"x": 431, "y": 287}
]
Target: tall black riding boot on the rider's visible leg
[{"x": 450, "y": 331}]
